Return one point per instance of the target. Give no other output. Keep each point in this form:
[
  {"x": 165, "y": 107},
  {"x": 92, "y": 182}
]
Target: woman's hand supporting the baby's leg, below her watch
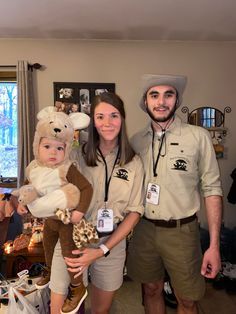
[{"x": 87, "y": 257}]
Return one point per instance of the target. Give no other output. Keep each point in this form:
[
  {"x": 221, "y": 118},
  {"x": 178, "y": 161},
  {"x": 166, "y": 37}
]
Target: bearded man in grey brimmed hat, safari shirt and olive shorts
[{"x": 179, "y": 162}]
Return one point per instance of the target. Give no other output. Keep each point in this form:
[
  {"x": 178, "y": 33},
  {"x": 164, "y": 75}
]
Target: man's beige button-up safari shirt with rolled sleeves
[{"x": 187, "y": 167}]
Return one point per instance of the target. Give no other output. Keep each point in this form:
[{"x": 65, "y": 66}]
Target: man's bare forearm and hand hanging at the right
[{"x": 211, "y": 261}]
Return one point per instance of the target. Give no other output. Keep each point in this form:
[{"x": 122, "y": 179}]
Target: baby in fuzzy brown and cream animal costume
[{"x": 55, "y": 184}]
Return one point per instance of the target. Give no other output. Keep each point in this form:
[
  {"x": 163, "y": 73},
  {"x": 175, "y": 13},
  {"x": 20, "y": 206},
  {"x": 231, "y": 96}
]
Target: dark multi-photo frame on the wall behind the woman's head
[{"x": 77, "y": 97}]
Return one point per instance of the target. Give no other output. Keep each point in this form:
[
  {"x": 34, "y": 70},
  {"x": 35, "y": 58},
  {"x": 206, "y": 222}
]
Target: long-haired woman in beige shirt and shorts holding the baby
[{"x": 116, "y": 174}]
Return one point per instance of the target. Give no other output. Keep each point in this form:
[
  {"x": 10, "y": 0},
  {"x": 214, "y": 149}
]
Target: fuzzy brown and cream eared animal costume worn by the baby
[{"x": 55, "y": 190}]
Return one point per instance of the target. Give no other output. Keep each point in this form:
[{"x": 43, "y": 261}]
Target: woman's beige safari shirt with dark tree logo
[{"x": 125, "y": 191}]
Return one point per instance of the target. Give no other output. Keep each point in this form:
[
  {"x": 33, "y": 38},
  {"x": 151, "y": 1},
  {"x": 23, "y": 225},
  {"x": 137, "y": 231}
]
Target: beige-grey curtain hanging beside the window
[{"x": 26, "y": 117}]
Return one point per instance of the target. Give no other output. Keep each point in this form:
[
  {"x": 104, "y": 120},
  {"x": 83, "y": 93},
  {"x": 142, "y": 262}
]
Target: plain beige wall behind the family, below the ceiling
[{"x": 210, "y": 68}]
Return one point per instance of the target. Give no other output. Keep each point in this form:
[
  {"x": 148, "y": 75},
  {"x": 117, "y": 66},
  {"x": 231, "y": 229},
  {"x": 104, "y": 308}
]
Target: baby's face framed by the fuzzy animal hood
[{"x": 51, "y": 152}]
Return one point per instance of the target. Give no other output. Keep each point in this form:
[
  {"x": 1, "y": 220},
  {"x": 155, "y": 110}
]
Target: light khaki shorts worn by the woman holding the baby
[{"x": 106, "y": 273}]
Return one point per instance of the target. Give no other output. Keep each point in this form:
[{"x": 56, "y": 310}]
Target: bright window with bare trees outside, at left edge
[{"x": 8, "y": 124}]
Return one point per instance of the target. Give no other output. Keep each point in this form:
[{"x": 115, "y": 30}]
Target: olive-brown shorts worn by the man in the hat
[{"x": 152, "y": 250}]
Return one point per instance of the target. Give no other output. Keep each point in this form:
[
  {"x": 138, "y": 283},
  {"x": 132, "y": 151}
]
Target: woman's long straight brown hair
[{"x": 90, "y": 151}]
